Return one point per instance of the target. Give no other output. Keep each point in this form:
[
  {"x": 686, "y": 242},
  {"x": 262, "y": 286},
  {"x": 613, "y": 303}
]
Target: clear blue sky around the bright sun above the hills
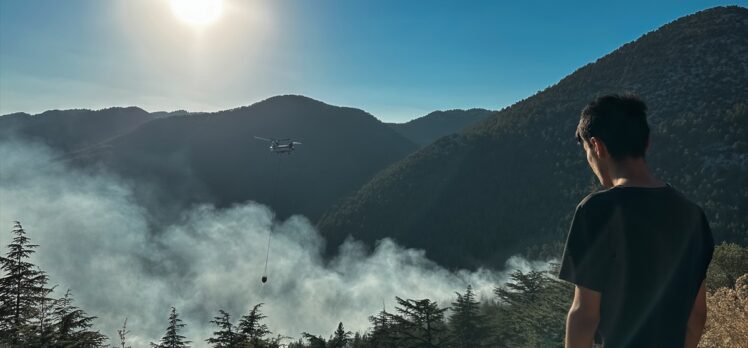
[{"x": 395, "y": 59}]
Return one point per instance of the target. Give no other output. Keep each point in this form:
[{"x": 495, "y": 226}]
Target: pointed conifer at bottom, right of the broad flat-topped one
[{"x": 466, "y": 321}]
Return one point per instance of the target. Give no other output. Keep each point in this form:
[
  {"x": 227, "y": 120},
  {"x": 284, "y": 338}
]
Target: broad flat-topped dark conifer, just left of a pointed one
[{"x": 420, "y": 324}]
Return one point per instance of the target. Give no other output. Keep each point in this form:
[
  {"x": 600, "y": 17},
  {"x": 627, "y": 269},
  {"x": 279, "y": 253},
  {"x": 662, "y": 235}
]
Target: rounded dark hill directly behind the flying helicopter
[{"x": 181, "y": 158}]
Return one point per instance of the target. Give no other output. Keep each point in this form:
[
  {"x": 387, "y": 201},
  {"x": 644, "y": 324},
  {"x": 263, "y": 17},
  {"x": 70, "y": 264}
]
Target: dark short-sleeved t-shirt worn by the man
[{"x": 646, "y": 250}]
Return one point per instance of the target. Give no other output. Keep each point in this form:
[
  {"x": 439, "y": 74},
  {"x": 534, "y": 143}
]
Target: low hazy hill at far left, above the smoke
[{"x": 72, "y": 130}]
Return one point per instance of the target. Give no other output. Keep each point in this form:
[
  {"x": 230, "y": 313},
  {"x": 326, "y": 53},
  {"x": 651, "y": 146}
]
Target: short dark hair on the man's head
[{"x": 620, "y": 121}]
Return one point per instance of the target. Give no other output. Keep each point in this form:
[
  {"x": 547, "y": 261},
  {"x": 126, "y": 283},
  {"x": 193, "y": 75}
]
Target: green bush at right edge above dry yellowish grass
[{"x": 729, "y": 262}]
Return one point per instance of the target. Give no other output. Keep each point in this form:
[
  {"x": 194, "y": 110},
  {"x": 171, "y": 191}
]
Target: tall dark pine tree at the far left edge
[{"x": 22, "y": 291}]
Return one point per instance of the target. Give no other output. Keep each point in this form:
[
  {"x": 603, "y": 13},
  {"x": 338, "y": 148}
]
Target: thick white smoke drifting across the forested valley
[{"x": 95, "y": 240}]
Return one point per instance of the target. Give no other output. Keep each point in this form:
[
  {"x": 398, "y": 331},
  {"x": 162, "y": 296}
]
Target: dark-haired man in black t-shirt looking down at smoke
[{"x": 638, "y": 250}]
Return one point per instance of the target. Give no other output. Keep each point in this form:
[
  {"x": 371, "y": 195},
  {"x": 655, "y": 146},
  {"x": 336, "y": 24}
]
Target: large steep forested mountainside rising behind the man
[{"x": 510, "y": 183}]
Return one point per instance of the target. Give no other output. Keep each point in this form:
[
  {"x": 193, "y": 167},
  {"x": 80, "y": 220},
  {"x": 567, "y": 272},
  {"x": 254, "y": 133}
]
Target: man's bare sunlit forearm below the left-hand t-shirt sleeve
[{"x": 584, "y": 315}]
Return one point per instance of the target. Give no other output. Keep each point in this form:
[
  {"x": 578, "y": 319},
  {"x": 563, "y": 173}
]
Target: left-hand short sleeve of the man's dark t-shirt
[{"x": 586, "y": 254}]
